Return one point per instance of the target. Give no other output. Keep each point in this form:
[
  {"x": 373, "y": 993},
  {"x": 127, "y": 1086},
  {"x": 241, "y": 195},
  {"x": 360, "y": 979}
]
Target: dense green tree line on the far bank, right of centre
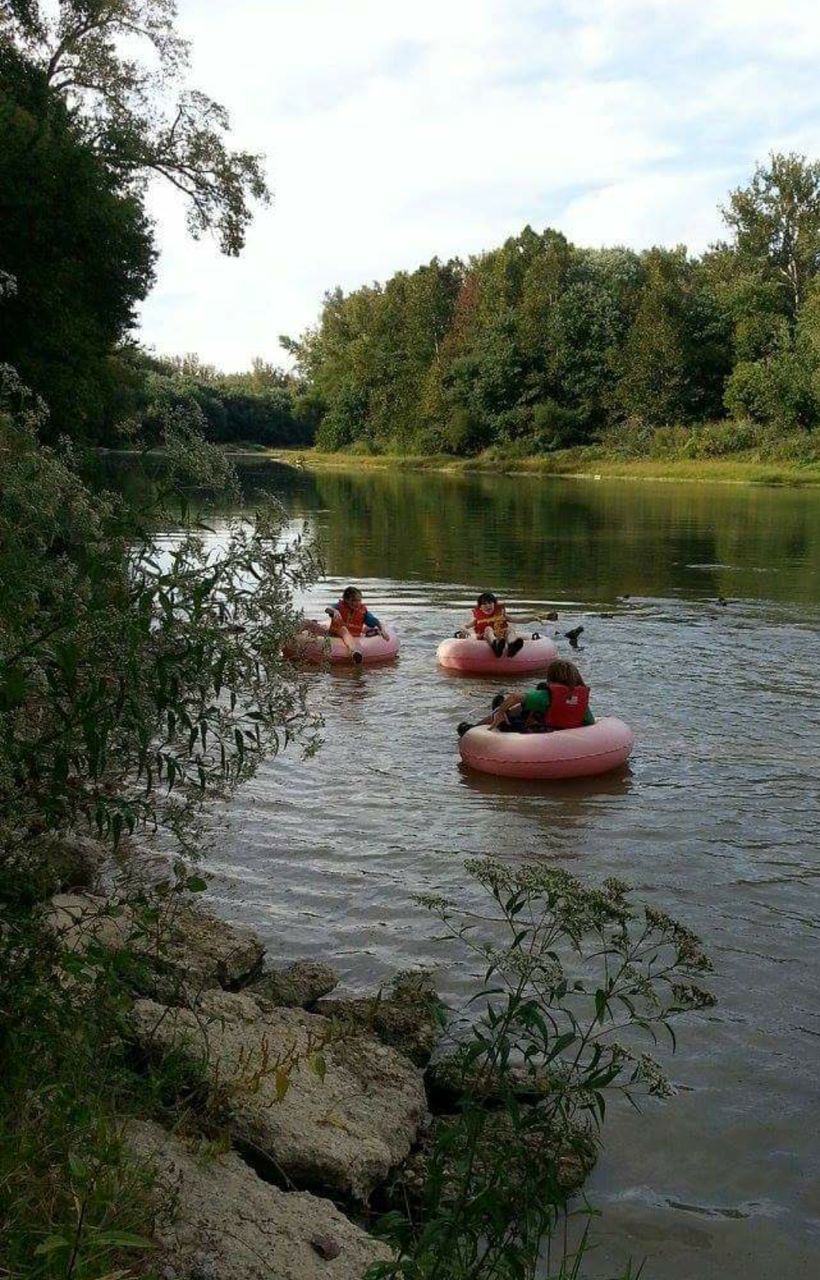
[{"x": 542, "y": 344}]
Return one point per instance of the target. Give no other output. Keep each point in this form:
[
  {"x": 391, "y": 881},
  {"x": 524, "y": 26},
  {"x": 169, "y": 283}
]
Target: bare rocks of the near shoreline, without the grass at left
[{"x": 303, "y": 1107}]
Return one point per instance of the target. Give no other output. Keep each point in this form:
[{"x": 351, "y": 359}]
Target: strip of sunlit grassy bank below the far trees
[{"x": 580, "y": 464}]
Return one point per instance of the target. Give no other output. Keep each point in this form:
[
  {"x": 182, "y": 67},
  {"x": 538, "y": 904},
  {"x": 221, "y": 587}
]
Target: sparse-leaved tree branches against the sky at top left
[{"x": 116, "y": 63}]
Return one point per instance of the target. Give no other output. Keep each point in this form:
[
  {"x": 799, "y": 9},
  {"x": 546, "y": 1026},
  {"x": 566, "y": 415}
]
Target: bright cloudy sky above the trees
[{"x": 396, "y": 131}]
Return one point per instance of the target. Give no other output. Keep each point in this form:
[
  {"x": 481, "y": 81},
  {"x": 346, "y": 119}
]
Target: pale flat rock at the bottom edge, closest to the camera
[{"x": 218, "y": 1220}]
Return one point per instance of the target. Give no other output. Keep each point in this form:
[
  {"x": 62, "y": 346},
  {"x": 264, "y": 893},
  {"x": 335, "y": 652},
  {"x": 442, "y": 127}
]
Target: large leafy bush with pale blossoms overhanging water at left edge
[{"x": 136, "y": 679}]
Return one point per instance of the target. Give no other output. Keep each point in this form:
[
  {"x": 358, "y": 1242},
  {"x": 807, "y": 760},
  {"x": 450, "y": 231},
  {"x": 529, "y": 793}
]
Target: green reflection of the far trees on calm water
[{"x": 562, "y": 541}]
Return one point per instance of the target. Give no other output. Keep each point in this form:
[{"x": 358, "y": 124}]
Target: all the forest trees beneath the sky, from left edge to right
[{"x": 526, "y": 349}]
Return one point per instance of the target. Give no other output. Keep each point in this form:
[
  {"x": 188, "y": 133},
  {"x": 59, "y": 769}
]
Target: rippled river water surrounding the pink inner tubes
[{"x": 716, "y": 821}]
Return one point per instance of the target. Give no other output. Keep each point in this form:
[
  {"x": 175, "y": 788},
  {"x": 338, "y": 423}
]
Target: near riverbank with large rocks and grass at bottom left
[{"x": 204, "y": 1112}]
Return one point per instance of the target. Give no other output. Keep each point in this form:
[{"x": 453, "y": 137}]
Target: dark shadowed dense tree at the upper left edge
[{"x": 76, "y": 243}]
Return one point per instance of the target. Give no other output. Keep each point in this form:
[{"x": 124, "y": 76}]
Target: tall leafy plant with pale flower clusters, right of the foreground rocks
[{"x": 579, "y": 985}]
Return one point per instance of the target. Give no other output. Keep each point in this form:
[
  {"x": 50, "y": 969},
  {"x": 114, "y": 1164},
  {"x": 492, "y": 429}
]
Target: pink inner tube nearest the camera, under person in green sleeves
[{"x": 569, "y": 753}]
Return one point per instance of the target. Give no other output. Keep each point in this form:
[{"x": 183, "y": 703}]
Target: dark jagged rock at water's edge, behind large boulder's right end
[{"x": 407, "y": 1017}]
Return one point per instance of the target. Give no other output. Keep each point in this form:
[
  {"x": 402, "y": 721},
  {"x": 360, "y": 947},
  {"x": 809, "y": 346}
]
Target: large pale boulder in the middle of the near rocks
[{"x": 338, "y": 1121}]
